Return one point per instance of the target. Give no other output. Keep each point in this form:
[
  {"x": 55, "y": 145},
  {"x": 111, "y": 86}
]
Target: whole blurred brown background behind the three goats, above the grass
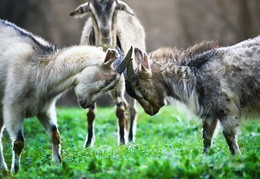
[{"x": 178, "y": 23}]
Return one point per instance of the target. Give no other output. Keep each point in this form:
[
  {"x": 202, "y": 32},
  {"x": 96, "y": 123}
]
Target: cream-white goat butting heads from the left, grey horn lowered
[{"x": 34, "y": 73}]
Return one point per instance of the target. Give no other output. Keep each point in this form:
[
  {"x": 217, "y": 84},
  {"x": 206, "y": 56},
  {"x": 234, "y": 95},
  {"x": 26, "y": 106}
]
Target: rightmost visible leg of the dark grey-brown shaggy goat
[{"x": 230, "y": 126}]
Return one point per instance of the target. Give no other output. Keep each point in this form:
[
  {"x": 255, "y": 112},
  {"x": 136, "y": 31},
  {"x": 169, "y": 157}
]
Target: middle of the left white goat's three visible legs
[{"x": 14, "y": 124}]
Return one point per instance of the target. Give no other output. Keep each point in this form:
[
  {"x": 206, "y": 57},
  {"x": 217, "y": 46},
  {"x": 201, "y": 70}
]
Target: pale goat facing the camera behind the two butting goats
[{"x": 112, "y": 23}]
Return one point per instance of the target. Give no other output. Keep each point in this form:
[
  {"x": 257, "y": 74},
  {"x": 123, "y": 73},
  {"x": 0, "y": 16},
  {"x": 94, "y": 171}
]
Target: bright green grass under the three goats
[{"x": 167, "y": 145}]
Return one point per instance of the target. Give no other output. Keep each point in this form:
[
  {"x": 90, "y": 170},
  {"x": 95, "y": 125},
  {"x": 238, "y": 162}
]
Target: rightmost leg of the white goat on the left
[{"x": 49, "y": 121}]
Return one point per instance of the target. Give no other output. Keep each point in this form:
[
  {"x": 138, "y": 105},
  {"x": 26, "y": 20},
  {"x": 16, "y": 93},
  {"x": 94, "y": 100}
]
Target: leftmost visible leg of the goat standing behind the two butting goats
[{"x": 91, "y": 115}]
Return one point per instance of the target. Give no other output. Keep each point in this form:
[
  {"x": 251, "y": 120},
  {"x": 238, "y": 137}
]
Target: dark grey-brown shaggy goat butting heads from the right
[{"x": 217, "y": 84}]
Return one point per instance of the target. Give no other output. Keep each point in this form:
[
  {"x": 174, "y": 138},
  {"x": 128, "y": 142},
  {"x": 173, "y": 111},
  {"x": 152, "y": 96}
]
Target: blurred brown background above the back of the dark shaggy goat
[{"x": 184, "y": 22}]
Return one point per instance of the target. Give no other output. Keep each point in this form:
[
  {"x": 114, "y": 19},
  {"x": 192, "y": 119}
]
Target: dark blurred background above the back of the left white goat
[{"x": 47, "y": 18}]
